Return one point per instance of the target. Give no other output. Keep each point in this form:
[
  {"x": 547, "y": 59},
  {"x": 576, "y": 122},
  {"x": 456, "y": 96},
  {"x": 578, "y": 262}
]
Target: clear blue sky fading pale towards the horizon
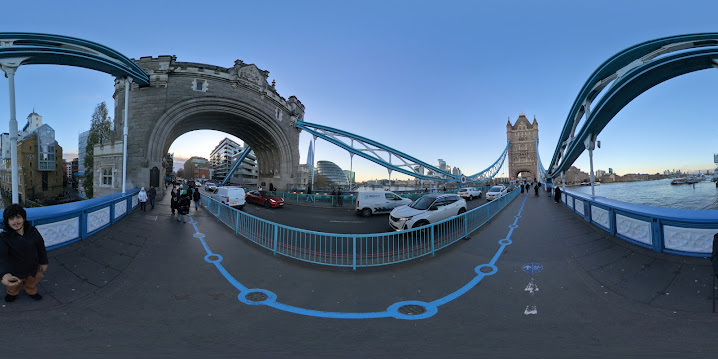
[{"x": 434, "y": 80}]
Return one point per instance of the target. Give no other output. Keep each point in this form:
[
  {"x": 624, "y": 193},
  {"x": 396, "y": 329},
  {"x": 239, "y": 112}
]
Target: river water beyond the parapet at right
[{"x": 658, "y": 193}]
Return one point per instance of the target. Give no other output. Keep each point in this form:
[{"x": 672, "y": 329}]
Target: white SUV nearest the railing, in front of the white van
[{"x": 430, "y": 208}]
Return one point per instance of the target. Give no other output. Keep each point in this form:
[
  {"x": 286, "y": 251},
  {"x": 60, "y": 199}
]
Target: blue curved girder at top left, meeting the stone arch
[{"x": 21, "y": 48}]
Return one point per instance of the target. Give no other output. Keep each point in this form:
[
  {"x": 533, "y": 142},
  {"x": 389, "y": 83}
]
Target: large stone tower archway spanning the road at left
[{"x": 184, "y": 97}]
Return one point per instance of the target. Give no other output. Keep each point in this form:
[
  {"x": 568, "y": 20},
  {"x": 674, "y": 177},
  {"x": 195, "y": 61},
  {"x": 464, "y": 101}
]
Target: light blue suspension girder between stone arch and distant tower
[{"x": 372, "y": 150}]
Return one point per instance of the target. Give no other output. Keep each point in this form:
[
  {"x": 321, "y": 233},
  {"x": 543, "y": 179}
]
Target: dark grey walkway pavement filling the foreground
[{"x": 142, "y": 288}]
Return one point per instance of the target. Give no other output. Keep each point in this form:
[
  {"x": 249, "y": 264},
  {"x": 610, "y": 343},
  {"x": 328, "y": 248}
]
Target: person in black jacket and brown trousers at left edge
[{"x": 23, "y": 257}]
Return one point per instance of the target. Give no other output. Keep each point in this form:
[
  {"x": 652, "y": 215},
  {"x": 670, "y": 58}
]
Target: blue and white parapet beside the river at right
[{"x": 679, "y": 231}]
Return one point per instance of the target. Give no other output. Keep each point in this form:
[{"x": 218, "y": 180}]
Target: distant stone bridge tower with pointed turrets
[{"x": 522, "y": 151}]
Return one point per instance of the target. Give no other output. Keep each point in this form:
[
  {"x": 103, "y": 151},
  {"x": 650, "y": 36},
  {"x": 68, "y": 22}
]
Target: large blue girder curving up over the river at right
[{"x": 629, "y": 73}]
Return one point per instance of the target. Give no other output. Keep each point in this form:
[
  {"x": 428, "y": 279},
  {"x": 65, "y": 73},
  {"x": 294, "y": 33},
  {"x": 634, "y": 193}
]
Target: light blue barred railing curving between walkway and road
[{"x": 355, "y": 250}]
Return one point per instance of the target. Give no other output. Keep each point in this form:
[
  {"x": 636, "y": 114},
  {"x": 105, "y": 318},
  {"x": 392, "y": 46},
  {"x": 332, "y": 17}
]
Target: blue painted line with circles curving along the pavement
[{"x": 392, "y": 311}]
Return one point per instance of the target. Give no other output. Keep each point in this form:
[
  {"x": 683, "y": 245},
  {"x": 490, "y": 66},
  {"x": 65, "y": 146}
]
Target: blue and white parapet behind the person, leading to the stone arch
[{"x": 67, "y": 223}]
